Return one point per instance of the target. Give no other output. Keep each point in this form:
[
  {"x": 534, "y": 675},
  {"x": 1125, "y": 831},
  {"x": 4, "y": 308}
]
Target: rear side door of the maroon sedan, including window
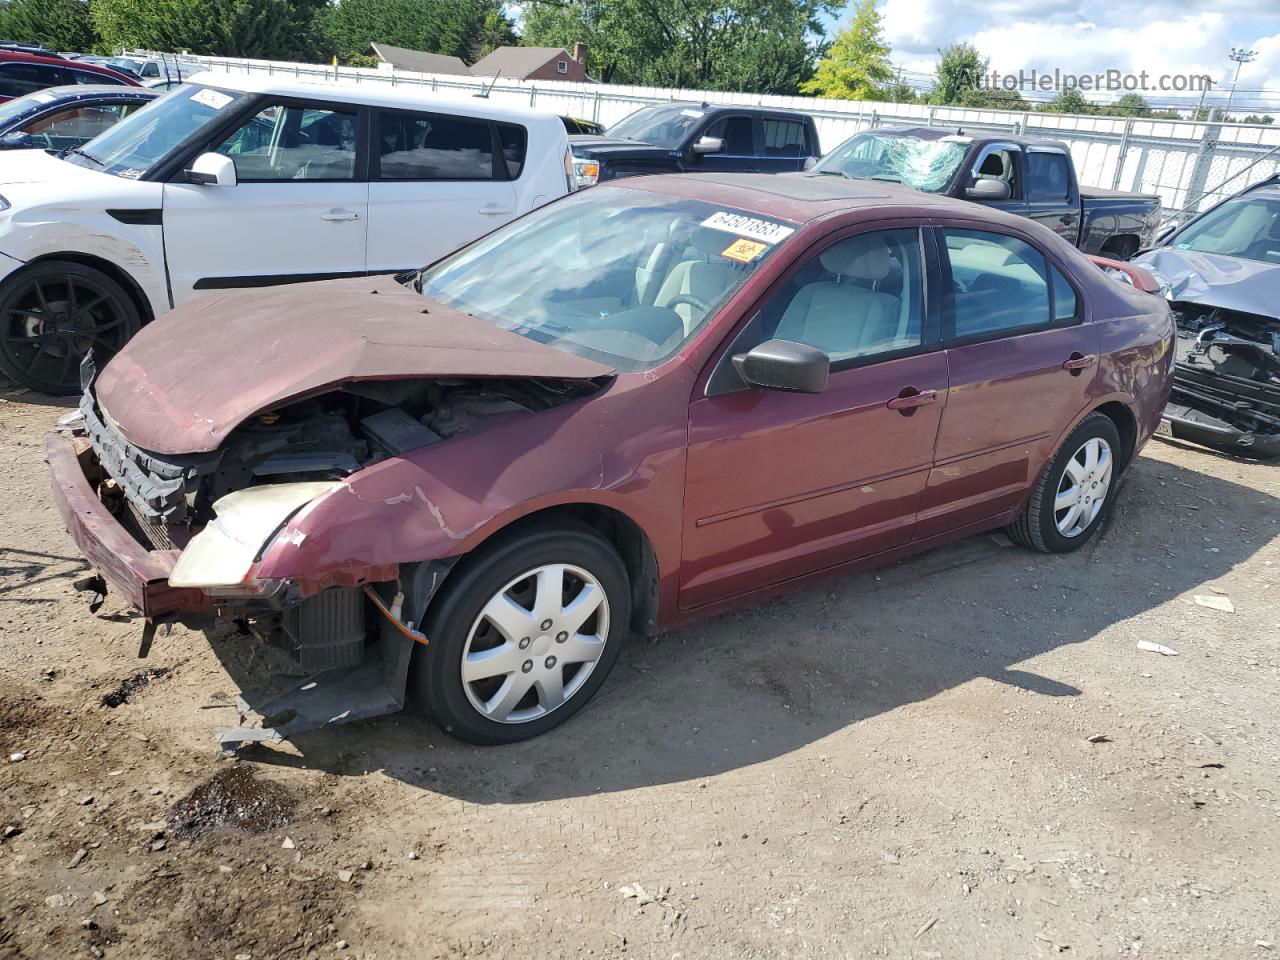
[{"x": 1022, "y": 362}]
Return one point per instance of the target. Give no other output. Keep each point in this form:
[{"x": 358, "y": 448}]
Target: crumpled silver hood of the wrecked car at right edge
[{"x": 1218, "y": 281}]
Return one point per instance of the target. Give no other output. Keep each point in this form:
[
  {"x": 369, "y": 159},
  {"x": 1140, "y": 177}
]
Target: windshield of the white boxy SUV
[{"x": 143, "y": 139}]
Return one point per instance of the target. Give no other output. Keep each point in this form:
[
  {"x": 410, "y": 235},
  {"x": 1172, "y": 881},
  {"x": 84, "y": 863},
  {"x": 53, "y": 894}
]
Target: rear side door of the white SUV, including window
[{"x": 437, "y": 182}]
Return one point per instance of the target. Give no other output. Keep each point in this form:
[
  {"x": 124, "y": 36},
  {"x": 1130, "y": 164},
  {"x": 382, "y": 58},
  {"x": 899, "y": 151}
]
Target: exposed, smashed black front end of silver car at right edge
[{"x": 1227, "y": 381}]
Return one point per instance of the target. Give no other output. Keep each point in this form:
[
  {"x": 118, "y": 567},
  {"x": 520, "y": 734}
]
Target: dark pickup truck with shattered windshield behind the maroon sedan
[{"x": 1034, "y": 179}]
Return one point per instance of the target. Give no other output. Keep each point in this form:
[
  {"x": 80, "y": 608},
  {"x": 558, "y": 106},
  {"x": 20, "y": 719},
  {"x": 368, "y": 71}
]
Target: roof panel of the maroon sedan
[{"x": 804, "y": 198}]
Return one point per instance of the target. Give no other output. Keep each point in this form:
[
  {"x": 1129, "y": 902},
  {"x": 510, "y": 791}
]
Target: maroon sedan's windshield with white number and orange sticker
[{"x": 619, "y": 276}]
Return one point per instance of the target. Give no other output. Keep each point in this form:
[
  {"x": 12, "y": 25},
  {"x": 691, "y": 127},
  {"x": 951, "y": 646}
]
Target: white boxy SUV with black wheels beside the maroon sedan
[{"x": 234, "y": 182}]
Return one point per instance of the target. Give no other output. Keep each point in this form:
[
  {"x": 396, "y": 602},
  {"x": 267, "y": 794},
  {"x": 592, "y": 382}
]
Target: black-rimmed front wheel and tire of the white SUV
[{"x": 52, "y": 313}]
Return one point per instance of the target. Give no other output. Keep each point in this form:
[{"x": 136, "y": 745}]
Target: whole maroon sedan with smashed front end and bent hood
[{"x": 630, "y": 408}]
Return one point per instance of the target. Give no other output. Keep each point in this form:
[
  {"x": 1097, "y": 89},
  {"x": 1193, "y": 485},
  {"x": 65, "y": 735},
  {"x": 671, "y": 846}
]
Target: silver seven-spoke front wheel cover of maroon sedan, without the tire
[{"x": 536, "y": 643}]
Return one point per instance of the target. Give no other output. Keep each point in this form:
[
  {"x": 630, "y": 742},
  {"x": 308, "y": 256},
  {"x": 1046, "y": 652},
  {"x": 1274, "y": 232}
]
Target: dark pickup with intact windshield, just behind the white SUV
[{"x": 697, "y": 138}]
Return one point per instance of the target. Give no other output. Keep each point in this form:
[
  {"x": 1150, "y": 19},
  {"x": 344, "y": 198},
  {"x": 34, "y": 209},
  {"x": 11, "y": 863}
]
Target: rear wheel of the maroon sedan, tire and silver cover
[{"x": 1050, "y": 528}]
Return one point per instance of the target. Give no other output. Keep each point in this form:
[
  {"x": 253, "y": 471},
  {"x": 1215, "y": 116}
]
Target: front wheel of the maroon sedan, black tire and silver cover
[{"x": 524, "y": 652}]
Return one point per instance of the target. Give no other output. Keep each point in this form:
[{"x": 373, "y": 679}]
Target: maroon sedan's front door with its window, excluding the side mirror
[{"x": 784, "y": 484}]
